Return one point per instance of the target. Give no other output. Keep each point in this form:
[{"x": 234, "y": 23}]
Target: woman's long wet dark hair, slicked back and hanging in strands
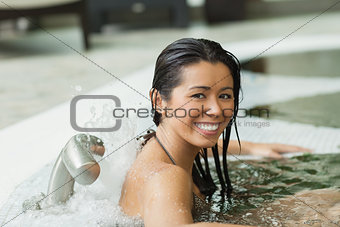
[{"x": 167, "y": 76}]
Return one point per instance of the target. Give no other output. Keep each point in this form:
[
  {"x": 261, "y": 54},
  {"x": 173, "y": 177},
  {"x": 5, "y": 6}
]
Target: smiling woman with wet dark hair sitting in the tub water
[{"x": 167, "y": 184}]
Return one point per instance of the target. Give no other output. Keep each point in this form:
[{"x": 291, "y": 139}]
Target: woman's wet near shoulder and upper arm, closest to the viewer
[{"x": 167, "y": 199}]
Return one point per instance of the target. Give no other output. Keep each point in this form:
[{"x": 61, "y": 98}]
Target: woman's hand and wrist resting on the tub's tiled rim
[{"x": 270, "y": 150}]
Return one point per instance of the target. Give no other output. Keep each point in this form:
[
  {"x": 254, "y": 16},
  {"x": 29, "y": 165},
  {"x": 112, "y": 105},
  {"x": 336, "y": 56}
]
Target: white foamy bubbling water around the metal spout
[{"x": 93, "y": 205}]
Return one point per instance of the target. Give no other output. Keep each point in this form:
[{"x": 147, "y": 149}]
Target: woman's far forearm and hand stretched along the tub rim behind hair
[{"x": 270, "y": 150}]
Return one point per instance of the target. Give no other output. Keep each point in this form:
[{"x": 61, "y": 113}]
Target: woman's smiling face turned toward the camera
[{"x": 204, "y": 101}]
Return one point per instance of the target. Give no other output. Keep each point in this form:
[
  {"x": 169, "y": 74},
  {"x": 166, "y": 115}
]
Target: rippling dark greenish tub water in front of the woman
[{"x": 285, "y": 192}]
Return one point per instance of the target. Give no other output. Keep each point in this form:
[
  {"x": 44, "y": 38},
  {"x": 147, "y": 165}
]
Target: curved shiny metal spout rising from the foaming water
[{"x": 74, "y": 163}]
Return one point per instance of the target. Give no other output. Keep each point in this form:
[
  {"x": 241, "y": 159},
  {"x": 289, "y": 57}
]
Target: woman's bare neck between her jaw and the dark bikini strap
[{"x": 181, "y": 151}]
